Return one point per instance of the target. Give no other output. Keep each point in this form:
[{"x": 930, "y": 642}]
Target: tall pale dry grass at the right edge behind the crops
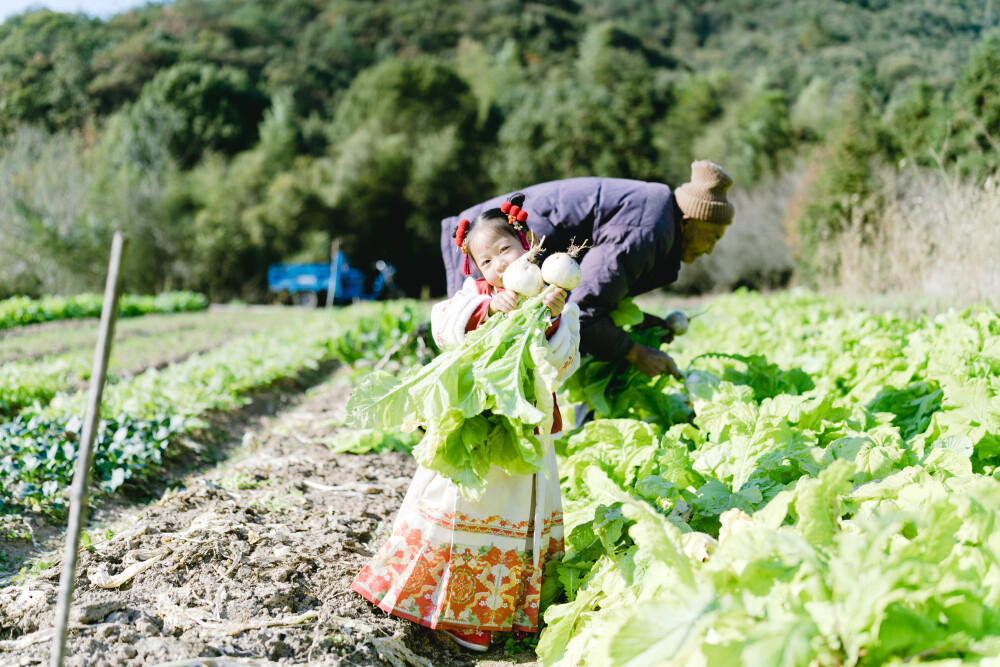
[{"x": 936, "y": 246}]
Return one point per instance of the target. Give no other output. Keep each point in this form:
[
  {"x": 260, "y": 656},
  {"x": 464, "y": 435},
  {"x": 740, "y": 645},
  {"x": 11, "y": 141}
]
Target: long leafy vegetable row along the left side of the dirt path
[{"x": 38, "y": 447}]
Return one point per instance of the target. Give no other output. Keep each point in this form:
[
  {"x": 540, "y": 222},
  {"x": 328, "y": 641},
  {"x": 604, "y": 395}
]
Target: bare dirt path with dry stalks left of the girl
[{"x": 247, "y": 563}]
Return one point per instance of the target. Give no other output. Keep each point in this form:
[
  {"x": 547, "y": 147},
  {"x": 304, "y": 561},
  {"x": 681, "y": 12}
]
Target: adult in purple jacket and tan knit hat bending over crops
[{"x": 640, "y": 233}]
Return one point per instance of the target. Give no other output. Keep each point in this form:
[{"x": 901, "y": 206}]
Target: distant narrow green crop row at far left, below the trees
[{"x": 19, "y": 310}]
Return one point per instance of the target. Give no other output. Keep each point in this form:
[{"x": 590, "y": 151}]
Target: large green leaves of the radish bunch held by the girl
[{"x": 480, "y": 402}]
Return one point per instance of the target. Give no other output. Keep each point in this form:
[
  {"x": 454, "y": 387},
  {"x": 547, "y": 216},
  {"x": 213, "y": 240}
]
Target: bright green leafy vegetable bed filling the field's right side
[{"x": 823, "y": 492}]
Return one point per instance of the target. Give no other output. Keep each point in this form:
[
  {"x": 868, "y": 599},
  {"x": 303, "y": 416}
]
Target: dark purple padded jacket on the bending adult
[{"x": 632, "y": 226}]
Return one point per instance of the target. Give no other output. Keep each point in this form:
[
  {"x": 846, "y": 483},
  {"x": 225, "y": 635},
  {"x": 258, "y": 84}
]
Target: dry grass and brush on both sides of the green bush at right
[{"x": 936, "y": 245}]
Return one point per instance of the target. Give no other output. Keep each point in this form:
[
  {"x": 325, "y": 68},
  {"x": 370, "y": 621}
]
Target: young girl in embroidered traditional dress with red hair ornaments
[{"x": 464, "y": 567}]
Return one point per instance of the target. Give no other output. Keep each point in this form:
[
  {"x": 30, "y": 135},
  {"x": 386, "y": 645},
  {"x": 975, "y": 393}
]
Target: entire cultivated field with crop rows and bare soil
[{"x": 821, "y": 489}]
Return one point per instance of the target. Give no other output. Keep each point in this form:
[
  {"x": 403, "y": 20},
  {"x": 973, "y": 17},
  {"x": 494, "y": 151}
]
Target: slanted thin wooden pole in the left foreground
[{"x": 85, "y": 454}]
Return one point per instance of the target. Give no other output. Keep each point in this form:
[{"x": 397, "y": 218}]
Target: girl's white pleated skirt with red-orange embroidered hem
[{"x": 453, "y": 563}]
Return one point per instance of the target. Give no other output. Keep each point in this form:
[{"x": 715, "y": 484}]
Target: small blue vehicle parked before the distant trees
[{"x": 307, "y": 284}]
